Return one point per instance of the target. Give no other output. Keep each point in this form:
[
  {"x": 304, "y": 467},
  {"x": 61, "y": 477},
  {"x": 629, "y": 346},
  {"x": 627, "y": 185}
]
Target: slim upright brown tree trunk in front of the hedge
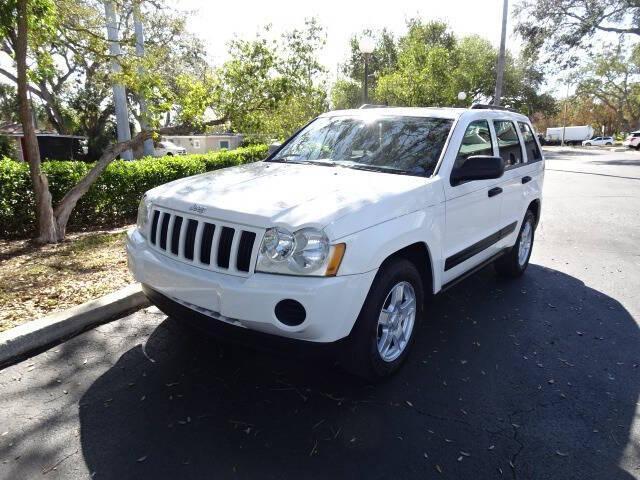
[{"x": 44, "y": 211}]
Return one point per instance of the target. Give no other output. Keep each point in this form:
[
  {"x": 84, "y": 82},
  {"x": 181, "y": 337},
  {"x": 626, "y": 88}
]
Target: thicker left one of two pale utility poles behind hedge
[{"x": 119, "y": 94}]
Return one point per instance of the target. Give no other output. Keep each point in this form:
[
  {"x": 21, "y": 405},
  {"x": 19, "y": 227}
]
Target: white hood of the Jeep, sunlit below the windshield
[{"x": 266, "y": 194}]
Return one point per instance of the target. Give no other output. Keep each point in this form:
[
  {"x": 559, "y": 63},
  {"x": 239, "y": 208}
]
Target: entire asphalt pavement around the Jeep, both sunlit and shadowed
[{"x": 533, "y": 378}]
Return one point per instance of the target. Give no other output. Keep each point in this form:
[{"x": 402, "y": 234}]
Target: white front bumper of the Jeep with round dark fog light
[{"x": 332, "y": 304}]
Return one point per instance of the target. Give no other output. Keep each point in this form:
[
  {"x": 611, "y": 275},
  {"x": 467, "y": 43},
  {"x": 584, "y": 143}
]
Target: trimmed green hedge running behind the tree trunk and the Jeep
[{"x": 113, "y": 199}]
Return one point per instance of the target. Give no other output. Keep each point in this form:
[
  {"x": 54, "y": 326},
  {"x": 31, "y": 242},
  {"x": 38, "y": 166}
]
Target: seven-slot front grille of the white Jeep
[{"x": 209, "y": 244}]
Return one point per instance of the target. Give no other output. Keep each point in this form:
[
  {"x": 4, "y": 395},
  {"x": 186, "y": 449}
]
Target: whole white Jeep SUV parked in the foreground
[{"x": 340, "y": 235}]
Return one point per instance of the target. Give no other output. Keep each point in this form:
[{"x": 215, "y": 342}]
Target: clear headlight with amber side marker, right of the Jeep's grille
[{"x": 304, "y": 252}]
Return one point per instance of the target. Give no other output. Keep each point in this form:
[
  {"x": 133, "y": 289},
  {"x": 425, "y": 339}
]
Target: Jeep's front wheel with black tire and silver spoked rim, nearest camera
[{"x": 385, "y": 329}]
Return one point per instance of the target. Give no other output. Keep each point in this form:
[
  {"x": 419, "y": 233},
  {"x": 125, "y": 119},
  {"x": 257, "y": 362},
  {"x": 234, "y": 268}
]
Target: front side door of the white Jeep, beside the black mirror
[{"x": 473, "y": 208}]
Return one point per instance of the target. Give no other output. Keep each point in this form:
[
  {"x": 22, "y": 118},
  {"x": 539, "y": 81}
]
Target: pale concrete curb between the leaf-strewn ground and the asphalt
[{"x": 32, "y": 336}]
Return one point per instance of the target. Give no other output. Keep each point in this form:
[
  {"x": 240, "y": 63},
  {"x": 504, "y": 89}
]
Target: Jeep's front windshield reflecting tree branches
[{"x": 394, "y": 144}]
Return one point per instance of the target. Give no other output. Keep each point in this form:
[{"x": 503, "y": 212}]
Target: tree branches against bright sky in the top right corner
[{"x": 561, "y": 27}]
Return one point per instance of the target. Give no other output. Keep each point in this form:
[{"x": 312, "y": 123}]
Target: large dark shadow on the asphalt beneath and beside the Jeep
[{"x": 530, "y": 378}]
